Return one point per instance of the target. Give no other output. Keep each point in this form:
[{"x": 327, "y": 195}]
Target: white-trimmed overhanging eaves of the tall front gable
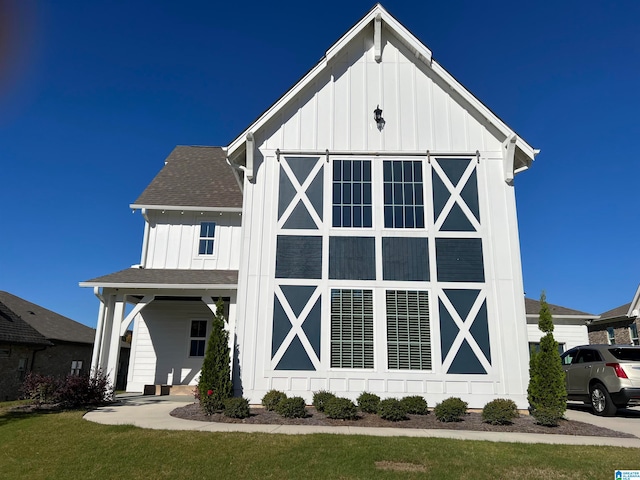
[{"x": 523, "y": 154}]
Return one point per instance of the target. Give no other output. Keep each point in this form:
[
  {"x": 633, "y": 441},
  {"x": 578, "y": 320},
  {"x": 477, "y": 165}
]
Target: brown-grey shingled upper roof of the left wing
[{"x": 194, "y": 177}]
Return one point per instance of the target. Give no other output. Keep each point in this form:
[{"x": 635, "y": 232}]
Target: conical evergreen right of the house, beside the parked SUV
[{"x": 547, "y": 393}]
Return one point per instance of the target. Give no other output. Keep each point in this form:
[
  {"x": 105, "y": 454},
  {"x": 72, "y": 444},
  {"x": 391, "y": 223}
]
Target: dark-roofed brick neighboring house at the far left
[{"x": 33, "y": 338}]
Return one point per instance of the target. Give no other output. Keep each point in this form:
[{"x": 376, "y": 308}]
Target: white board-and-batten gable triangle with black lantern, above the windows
[{"x": 335, "y": 111}]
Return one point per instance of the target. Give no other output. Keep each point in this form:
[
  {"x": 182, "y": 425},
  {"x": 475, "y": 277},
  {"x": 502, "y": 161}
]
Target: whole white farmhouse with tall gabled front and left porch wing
[{"x": 364, "y": 240}]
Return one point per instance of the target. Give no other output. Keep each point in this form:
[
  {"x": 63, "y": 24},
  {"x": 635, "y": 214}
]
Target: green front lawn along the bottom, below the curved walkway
[{"x": 64, "y": 446}]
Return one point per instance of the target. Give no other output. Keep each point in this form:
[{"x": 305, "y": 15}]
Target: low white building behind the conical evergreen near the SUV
[{"x": 569, "y": 326}]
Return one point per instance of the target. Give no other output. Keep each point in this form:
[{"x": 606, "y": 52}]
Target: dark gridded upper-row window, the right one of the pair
[{"x": 403, "y": 194}]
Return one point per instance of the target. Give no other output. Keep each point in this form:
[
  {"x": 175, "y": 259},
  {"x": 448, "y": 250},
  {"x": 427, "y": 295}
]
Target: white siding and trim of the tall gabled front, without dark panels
[{"x": 422, "y": 113}]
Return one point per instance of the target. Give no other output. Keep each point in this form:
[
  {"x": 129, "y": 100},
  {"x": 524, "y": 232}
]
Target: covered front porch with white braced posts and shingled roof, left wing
[{"x": 171, "y": 312}]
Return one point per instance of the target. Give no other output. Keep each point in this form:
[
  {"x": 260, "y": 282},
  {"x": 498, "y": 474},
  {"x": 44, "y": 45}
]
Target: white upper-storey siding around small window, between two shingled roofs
[{"x": 174, "y": 235}]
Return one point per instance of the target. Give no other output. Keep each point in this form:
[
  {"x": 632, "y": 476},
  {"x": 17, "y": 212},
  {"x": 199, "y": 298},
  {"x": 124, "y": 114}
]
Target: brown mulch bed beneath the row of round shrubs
[{"x": 472, "y": 421}]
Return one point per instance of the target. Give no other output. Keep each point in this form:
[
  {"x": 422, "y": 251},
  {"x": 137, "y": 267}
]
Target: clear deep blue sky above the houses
[{"x": 94, "y": 96}]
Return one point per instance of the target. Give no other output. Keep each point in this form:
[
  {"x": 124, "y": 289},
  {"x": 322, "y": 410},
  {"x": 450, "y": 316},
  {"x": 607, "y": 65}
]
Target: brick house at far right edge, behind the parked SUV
[{"x": 619, "y": 325}]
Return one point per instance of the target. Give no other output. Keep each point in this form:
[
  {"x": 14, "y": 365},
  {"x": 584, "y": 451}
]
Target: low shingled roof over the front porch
[{"x": 157, "y": 276}]
